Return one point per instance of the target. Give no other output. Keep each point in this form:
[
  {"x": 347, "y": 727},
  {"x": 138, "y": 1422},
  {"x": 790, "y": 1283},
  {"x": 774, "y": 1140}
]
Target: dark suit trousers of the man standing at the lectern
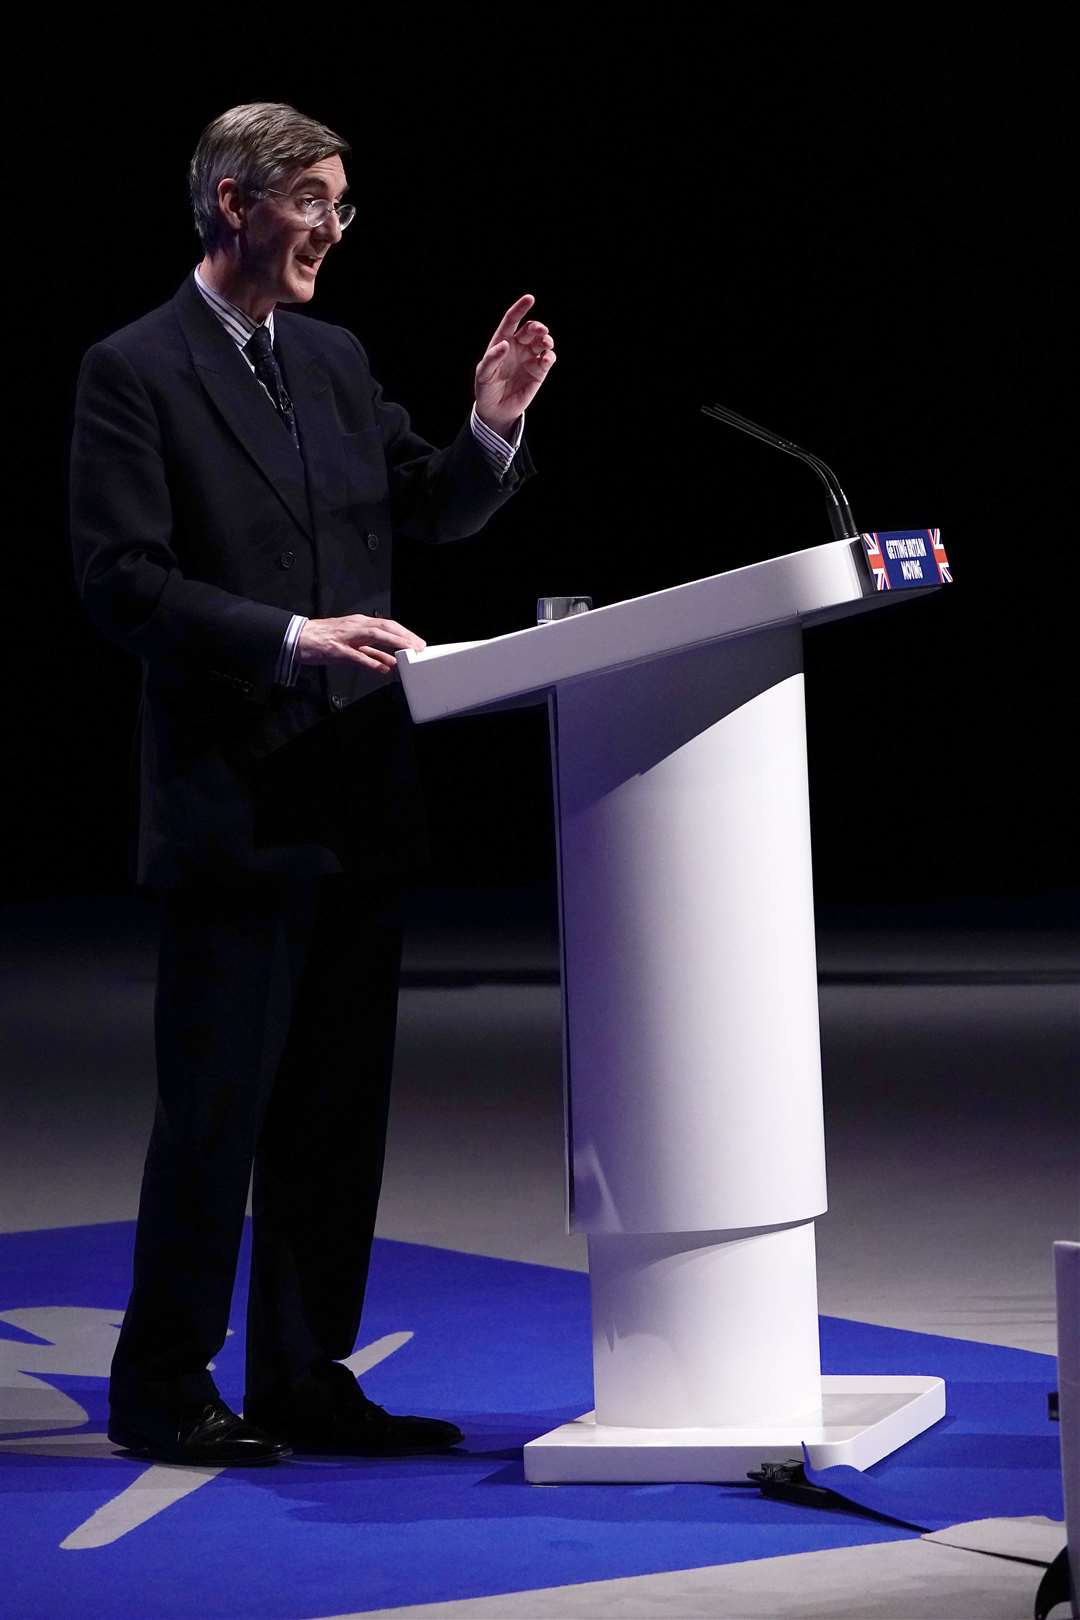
[{"x": 274, "y": 1033}]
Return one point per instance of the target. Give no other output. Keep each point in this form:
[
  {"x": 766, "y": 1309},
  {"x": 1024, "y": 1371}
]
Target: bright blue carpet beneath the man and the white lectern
[{"x": 504, "y": 1350}]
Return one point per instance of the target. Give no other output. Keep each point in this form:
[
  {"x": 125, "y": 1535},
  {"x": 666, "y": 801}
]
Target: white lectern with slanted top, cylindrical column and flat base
[{"x": 695, "y": 1148}]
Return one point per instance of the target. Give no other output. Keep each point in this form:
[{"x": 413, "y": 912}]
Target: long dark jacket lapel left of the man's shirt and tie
[{"x": 242, "y": 403}]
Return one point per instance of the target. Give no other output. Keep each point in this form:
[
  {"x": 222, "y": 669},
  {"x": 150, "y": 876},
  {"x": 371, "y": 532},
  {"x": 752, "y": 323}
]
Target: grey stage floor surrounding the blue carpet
[{"x": 951, "y": 1119}]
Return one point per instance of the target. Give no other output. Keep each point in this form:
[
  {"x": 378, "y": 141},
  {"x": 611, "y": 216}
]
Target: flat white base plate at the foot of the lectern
[{"x": 861, "y": 1422}]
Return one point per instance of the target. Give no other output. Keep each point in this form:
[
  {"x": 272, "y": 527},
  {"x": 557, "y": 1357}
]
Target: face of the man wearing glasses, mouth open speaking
[{"x": 279, "y": 252}]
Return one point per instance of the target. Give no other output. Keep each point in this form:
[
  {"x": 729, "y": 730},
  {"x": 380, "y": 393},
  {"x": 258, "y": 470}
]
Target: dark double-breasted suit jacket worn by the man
[{"x": 198, "y": 532}]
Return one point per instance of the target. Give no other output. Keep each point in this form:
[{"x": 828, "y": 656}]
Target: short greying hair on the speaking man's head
[{"x": 257, "y": 145}]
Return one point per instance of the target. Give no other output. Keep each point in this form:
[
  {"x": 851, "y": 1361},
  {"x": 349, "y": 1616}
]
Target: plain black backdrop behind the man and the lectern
[{"x": 848, "y": 239}]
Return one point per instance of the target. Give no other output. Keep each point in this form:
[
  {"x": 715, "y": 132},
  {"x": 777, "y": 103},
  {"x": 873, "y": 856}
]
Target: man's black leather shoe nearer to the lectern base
[{"x": 346, "y": 1423}]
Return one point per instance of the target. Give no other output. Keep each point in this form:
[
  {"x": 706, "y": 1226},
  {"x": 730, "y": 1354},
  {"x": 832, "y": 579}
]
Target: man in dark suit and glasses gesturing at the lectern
[{"x": 237, "y": 480}]
